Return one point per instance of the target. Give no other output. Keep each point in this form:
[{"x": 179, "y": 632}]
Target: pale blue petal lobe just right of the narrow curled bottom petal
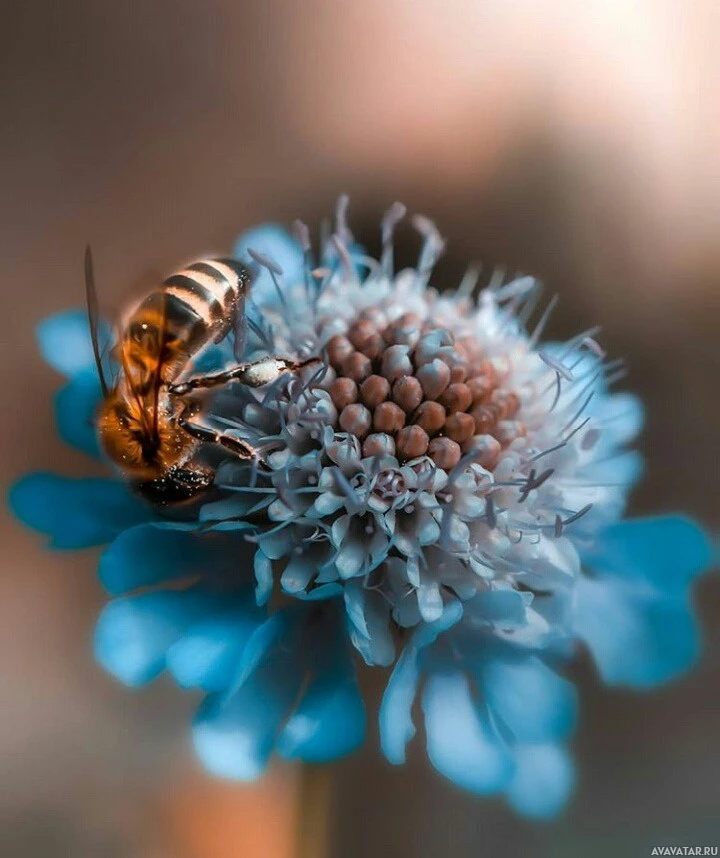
[{"x": 461, "y": 742}]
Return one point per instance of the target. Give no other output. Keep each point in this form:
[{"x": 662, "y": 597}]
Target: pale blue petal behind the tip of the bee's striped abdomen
[{"x": 273, "y": 241}]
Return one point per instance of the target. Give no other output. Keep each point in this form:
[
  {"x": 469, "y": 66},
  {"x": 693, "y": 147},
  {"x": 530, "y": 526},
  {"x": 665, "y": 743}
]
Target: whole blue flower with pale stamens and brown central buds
[{"x": 443, "y": 494}]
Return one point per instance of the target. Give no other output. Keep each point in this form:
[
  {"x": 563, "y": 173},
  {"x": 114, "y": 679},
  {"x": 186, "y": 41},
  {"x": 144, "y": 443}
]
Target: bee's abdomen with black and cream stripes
[{"x": 192, "y": 308}]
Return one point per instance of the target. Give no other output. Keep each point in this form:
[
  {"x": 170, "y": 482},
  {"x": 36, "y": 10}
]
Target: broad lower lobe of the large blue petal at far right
[{"x": 637, "y": 636}]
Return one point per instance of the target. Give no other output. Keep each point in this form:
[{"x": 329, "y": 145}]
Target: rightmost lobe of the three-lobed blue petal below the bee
[{"x": 208, "y": 654}]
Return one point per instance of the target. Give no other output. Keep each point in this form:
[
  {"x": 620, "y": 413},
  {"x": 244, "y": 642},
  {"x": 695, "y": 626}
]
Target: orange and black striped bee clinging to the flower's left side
[{"x": 150, "y": 422}]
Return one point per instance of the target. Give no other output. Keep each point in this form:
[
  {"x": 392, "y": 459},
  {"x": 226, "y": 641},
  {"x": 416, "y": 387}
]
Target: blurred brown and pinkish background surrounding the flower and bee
[{"x": 574, "y": 139}]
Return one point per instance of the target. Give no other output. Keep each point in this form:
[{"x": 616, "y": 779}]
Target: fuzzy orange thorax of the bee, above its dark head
[{"x": 143, "y": 447}]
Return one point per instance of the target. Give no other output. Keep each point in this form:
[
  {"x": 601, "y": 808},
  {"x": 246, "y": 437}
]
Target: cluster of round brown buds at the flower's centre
[{"x": 408, "y": 389}]
